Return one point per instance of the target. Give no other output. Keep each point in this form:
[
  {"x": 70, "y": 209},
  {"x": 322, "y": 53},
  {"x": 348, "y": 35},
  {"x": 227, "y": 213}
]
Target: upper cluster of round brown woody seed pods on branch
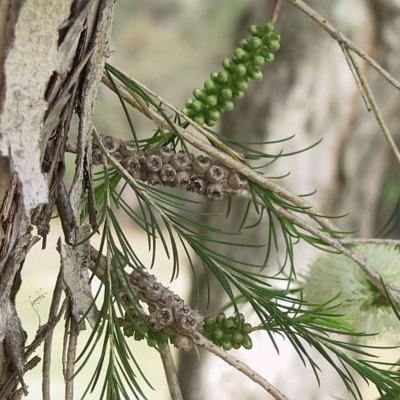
[{"x": 162, "y": 166}]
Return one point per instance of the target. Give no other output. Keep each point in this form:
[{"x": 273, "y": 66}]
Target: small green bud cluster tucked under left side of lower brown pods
[{"x": 136, "y": 326}]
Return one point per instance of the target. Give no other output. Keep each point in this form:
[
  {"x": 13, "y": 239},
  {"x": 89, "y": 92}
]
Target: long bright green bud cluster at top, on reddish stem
[{"x": 219, "y": 91}]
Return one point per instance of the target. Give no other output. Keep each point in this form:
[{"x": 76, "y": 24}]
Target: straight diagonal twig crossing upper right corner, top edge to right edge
[{"x": 341, "y": 38}]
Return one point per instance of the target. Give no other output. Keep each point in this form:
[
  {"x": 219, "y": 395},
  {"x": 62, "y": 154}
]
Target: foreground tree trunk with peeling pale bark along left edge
[{"x": 51, "y": 60}]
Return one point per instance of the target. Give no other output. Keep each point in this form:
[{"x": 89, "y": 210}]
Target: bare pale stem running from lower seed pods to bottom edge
[{"x": 200, "y": 340}]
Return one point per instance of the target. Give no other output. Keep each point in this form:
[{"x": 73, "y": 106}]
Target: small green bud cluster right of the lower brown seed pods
[{"x": 232, "y": 332}]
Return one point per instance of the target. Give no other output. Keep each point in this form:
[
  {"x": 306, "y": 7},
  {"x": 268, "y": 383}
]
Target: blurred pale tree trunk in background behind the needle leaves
[{"x": 310, "y": 92}]
